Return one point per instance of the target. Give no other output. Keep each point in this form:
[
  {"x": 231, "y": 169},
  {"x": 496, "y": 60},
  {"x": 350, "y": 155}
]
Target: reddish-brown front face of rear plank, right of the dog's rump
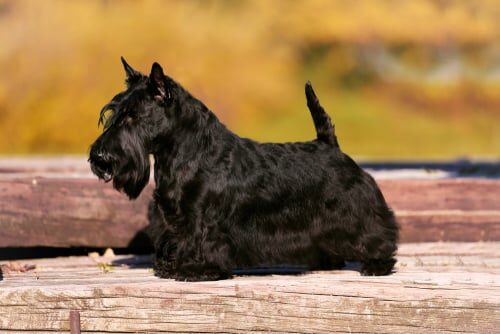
[{"x": 445, "y": 210}]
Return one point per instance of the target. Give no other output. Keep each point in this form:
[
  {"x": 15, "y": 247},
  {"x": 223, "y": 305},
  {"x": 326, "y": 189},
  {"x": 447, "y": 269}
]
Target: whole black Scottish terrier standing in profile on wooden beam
[{"x": 223, "y": 202}]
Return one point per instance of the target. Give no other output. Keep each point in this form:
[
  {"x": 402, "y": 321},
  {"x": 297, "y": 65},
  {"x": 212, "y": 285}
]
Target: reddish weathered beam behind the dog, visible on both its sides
[{"x": 43, "y": 203}]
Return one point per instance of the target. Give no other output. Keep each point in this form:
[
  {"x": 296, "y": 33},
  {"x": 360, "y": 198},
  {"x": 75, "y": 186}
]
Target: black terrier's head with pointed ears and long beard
[{"x": 134, "y": 121}]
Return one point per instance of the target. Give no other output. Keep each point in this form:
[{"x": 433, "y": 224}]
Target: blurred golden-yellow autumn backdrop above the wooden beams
[{"x": 402, "y": 80}]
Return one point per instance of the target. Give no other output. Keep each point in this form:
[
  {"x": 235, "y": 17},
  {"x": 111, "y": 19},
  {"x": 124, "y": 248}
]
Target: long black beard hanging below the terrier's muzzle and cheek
[{"x": 132, "y": 174}]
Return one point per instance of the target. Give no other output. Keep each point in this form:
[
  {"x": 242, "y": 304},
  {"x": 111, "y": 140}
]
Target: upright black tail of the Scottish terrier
[{"x": 325, "y": 130}]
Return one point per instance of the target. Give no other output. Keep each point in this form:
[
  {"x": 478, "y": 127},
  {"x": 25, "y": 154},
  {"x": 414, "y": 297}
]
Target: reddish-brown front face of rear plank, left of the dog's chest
[{"x": 68, "y": 212}]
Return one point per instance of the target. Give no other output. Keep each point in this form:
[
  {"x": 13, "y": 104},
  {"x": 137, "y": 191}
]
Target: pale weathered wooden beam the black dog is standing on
[{"x": 438, "y": 287}]
